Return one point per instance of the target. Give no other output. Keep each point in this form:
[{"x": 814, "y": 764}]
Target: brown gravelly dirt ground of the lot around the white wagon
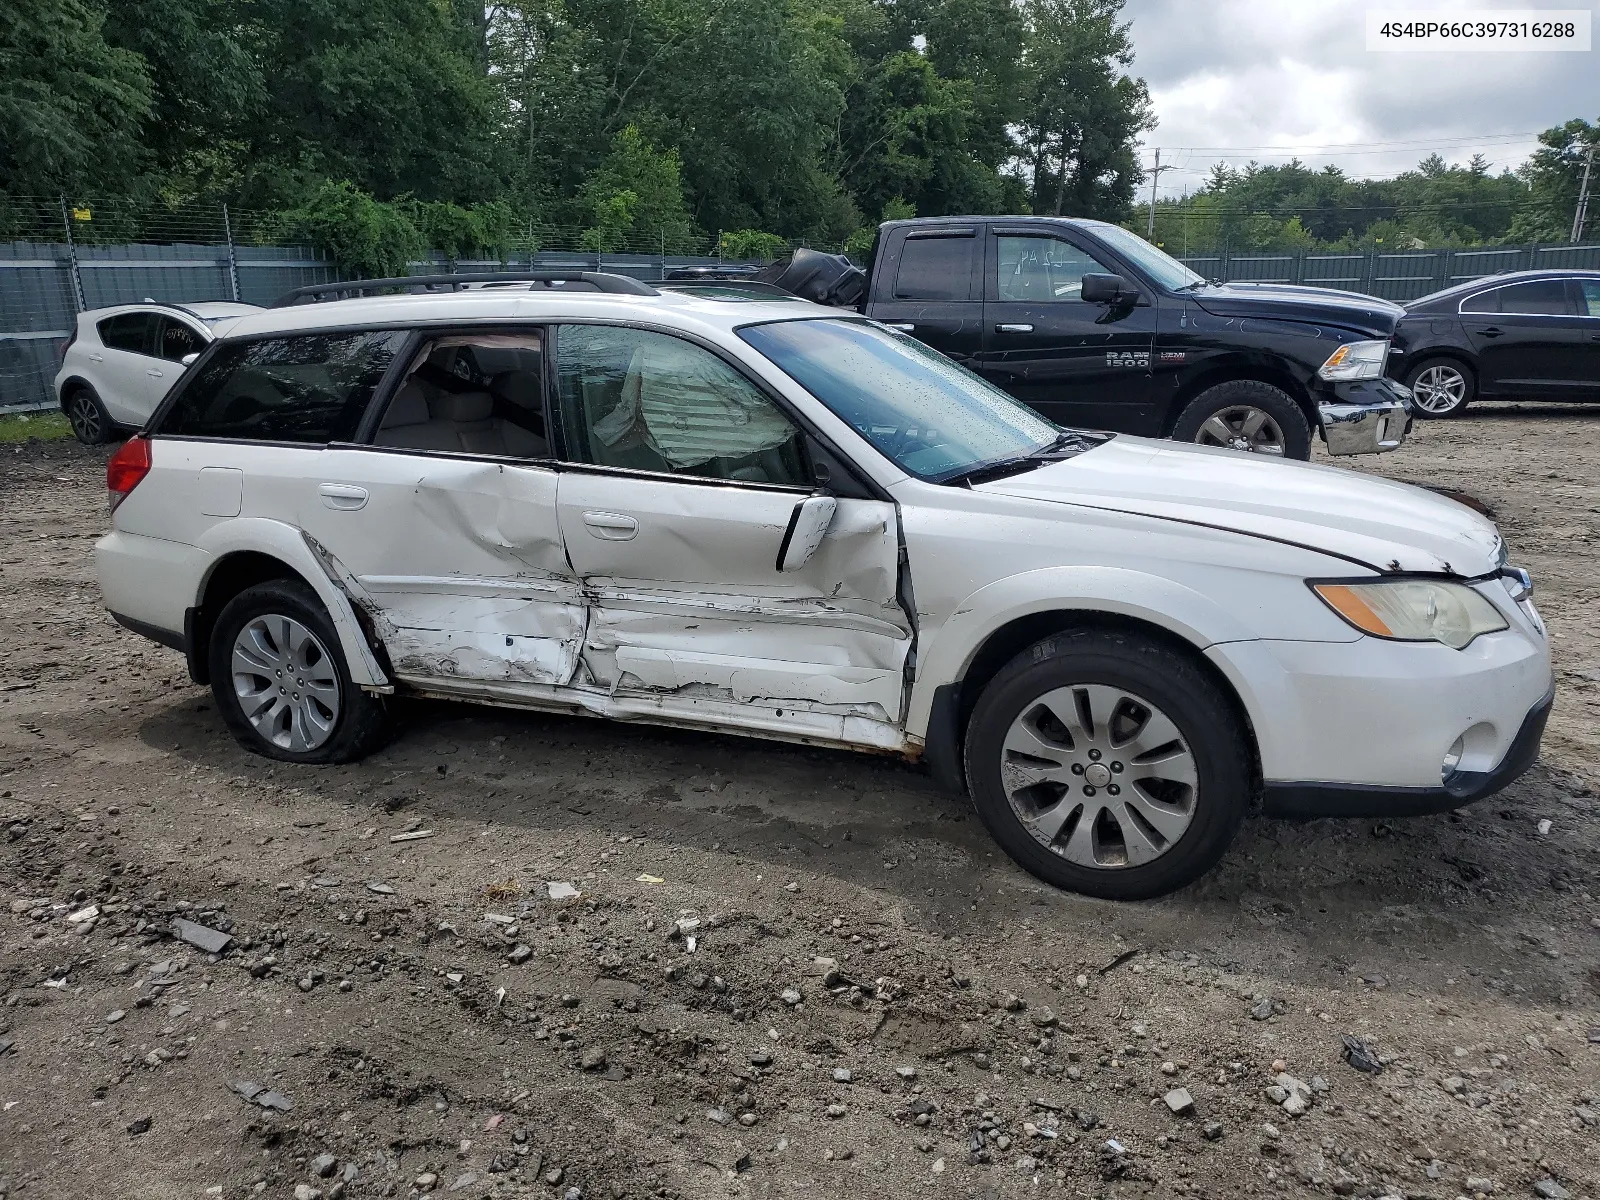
[{"x": 873, "y": 1001}]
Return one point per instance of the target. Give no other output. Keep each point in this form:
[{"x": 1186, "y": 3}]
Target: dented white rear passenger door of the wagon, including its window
[{"x": 450, "y": 542}]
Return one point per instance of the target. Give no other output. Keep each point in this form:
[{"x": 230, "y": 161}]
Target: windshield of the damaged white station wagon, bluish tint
[{"x": 930, "y": 417}]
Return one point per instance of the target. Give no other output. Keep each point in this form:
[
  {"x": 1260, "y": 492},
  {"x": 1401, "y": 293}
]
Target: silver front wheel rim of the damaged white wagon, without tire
[{"x": 1100, "y": 777}]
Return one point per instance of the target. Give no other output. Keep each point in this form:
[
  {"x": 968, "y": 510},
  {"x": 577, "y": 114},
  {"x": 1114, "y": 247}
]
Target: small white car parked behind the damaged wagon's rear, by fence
[{"x": 121, "y": 362}]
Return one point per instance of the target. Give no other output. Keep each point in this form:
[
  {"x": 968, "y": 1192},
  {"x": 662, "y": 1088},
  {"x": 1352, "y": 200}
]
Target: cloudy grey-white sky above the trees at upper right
[{"x": 1265, "y": 79}]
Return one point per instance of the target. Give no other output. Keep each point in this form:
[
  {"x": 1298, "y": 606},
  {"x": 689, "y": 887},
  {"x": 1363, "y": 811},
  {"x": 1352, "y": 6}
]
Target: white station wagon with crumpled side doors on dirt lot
[{"x": 714, "y": 508}]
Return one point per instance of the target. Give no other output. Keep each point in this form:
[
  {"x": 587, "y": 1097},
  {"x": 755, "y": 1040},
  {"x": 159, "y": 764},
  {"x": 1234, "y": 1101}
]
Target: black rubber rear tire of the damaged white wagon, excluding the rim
[{"x": 361, "y": 722}]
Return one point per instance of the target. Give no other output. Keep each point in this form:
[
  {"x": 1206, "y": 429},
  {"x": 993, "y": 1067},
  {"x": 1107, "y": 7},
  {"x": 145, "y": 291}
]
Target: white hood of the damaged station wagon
[{"x": 1367, "y": 521}]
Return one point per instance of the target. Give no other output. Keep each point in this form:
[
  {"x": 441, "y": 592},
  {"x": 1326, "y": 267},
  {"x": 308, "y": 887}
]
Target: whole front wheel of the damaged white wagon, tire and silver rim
[{"x": 1108, "y": 764}]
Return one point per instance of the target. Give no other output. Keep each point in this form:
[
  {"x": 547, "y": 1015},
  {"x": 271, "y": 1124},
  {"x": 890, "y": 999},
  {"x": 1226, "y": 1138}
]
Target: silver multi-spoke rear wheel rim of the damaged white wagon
[{"x": 286, "y": 682}]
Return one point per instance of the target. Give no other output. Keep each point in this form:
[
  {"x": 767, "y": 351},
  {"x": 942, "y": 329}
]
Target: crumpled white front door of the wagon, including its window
[{"x": 722, "y": 586}]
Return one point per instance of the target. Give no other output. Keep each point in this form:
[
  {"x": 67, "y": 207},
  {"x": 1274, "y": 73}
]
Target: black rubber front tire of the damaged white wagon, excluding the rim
[{"x": 1209, "y": 729}]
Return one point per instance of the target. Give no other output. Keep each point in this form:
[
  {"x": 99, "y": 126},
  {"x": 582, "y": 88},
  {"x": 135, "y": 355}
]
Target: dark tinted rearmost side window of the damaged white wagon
[{"x": 311, "y": 388}]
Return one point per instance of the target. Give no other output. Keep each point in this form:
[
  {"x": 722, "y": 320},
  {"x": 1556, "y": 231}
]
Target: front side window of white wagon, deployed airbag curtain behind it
[{"x": 654, "y": 402}]
